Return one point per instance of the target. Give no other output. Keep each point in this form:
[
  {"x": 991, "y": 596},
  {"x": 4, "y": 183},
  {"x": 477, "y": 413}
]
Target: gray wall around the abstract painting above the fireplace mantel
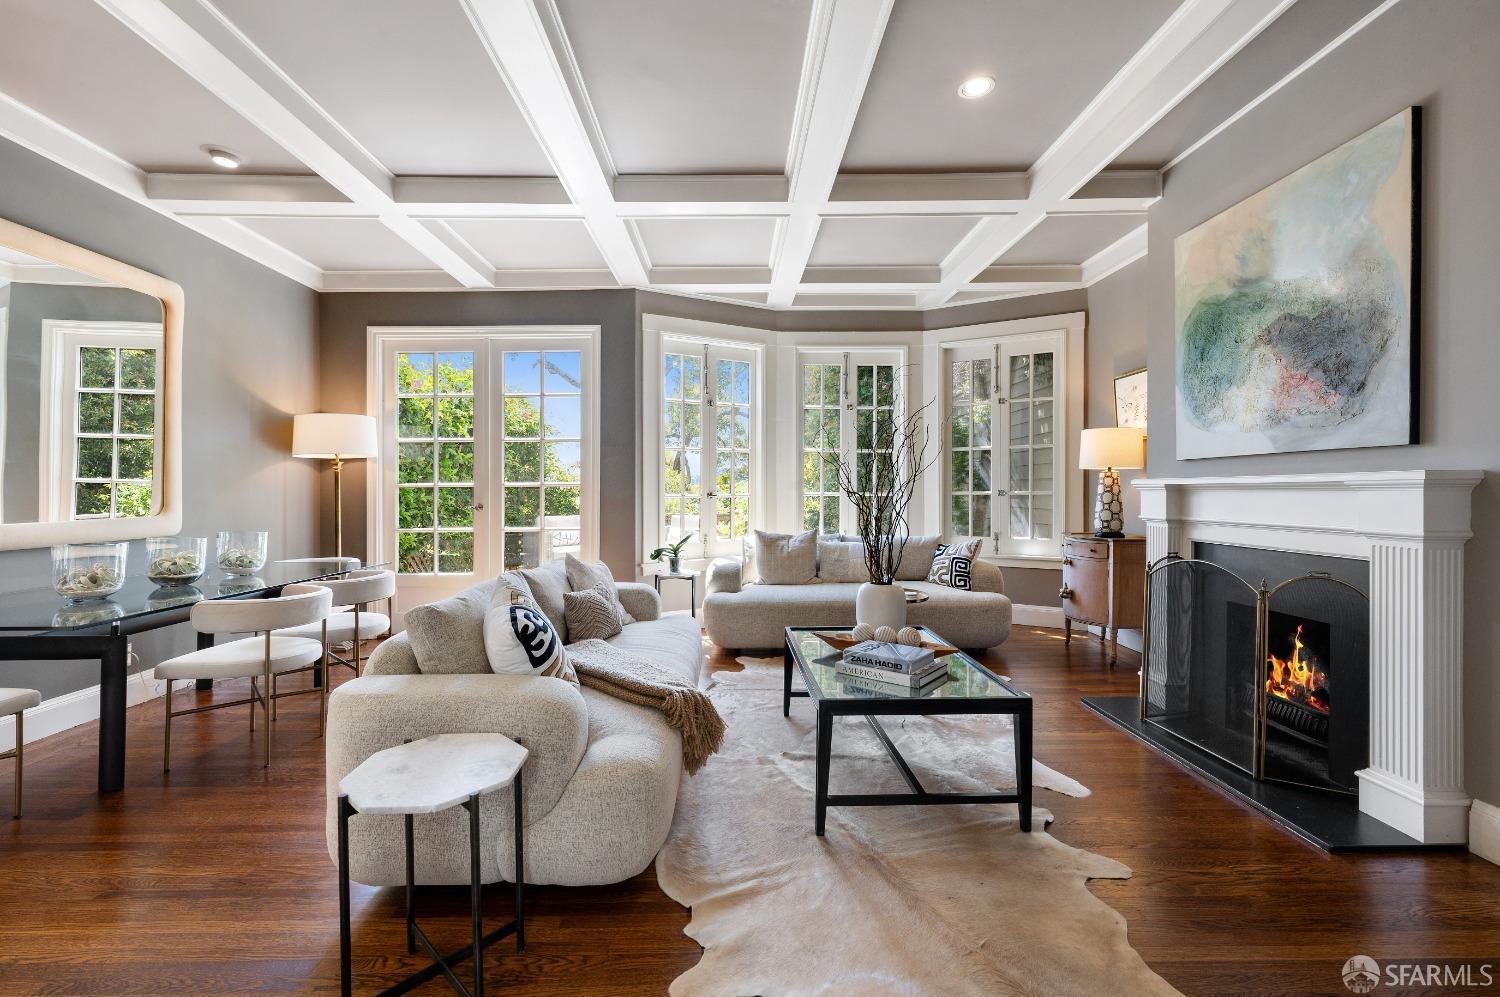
[{"x": 1444, "y": 58}]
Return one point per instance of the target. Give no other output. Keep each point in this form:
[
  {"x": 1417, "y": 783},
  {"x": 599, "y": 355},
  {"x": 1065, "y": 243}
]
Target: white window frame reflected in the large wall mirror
[{"x": 58, "y": 440}]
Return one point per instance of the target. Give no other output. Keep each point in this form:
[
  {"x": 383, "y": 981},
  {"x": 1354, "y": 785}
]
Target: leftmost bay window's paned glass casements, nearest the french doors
[{"x": 707, "y": 425}]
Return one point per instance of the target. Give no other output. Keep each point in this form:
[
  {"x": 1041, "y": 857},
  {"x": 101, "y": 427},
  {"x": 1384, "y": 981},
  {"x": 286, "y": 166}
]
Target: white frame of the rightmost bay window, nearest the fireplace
[{"x": 1064, "y": 337}]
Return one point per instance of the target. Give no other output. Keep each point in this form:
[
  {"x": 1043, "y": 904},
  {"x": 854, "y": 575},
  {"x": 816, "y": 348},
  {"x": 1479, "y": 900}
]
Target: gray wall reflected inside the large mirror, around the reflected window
[{"x": 31, "y": 307}]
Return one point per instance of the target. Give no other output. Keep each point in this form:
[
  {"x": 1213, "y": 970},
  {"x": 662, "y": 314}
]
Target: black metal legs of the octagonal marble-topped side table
[{"x": 415, "y": 933}]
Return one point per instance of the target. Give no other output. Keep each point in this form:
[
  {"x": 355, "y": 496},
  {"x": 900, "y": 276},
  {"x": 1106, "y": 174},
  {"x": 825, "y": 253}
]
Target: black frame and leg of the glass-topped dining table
[{"x": 112, "y": 645}]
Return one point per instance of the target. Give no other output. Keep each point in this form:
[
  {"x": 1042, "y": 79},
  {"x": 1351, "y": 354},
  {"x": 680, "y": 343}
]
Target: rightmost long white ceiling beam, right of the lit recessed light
[{"x": 1199, "y": 38}]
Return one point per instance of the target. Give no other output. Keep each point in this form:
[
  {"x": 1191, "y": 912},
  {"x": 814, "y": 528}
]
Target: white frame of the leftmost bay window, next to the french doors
[{"x": 667, "y": 335}]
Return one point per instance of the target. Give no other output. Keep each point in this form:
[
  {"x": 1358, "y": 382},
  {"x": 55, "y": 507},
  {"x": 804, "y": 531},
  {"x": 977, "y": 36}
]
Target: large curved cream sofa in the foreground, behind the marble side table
[{"x": 601, "y": 785}]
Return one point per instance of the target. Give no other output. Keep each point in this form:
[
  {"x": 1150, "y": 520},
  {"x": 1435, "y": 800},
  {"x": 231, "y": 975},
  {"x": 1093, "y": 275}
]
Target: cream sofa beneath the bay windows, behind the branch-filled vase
[{"x": 754, "y": 617}]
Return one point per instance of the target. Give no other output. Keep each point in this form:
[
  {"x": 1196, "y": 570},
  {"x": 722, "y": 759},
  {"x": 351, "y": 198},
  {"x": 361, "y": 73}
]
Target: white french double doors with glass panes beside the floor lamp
[{"x": 488, "y": 455}]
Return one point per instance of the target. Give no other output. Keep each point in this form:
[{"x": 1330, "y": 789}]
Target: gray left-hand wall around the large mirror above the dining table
[{"x": 250, "y": 364}]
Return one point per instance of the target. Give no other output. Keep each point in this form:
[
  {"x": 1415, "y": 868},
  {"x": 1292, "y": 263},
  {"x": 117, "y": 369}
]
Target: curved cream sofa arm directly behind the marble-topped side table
[{"x": 382, "y": 711}]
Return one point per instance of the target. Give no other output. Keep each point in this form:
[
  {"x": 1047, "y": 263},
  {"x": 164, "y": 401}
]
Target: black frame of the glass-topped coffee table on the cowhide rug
[{"x": 1021, "y": 708}]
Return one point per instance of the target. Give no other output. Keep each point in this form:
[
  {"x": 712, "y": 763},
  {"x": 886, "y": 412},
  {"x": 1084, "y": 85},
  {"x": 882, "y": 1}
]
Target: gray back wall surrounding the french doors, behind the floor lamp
[{"x": 346, "y": 319}]
